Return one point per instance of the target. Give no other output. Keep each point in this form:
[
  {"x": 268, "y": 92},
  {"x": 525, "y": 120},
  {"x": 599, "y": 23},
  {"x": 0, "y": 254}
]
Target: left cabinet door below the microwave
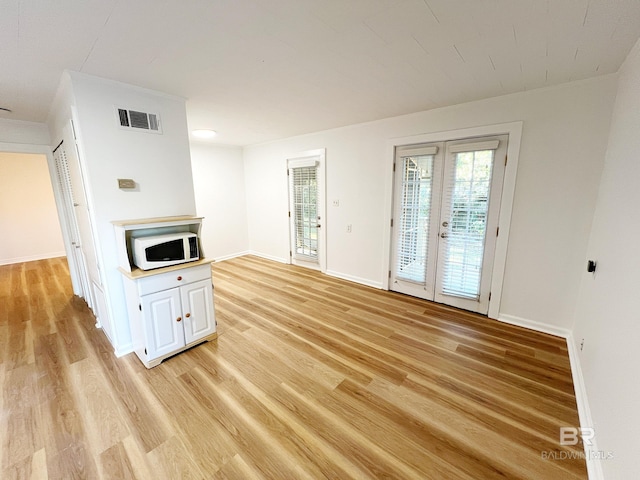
[{"x": 163, "y": 322}]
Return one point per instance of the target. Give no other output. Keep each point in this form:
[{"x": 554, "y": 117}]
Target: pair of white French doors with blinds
[{"x": 445, "y": 221}]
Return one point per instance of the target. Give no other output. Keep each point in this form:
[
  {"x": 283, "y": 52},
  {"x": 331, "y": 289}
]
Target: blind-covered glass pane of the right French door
[{"x": 465, "y": 210}]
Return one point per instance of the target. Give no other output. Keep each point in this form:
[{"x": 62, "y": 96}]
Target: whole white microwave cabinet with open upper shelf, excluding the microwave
[{"x": 170, "y": 309}]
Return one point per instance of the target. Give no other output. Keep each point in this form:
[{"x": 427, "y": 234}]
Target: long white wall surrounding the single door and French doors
[{"x": 563, "y": 144}]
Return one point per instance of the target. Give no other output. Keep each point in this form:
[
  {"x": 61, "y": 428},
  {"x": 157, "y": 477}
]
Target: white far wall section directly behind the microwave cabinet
[{"x": 218, "y": 181}]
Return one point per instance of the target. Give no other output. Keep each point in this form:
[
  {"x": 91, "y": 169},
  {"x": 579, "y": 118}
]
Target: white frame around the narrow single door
[{"x": 320, "y": 153}]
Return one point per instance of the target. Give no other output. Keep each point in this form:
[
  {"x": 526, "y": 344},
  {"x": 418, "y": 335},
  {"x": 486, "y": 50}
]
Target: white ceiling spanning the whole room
[{"x": 257, "y": 70}]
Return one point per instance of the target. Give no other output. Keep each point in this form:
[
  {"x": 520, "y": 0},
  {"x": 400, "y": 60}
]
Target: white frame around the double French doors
[{"x": 514, "y": 130}]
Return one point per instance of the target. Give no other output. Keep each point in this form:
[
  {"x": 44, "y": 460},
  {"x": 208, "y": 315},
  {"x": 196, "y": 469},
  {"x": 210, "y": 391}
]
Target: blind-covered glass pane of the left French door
[{"x": 415, "y": 214}]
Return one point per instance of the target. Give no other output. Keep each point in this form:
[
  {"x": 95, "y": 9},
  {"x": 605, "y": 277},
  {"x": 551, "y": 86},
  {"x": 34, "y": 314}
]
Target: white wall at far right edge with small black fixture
[{"x": 607, "y": 316}]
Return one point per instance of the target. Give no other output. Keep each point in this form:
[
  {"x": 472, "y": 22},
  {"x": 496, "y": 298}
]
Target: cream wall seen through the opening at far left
[{"x": 28, "y": 216}]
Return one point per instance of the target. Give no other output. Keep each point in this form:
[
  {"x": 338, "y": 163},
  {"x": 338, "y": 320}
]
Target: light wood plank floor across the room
[{"x": 311, "y": 377}]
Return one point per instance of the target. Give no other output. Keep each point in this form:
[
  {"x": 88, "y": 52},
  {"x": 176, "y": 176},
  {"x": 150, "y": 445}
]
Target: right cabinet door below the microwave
[{"x": 197, "y": 306}]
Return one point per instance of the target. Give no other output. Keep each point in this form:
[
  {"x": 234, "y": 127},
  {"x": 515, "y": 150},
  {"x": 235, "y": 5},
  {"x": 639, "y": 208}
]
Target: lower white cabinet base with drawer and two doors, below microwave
[{"x": 170, "y": 310}]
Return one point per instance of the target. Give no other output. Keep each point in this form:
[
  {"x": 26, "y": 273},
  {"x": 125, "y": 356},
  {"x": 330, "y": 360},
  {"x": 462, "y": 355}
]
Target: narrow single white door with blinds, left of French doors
[{"x": 306, "y": 207}]
